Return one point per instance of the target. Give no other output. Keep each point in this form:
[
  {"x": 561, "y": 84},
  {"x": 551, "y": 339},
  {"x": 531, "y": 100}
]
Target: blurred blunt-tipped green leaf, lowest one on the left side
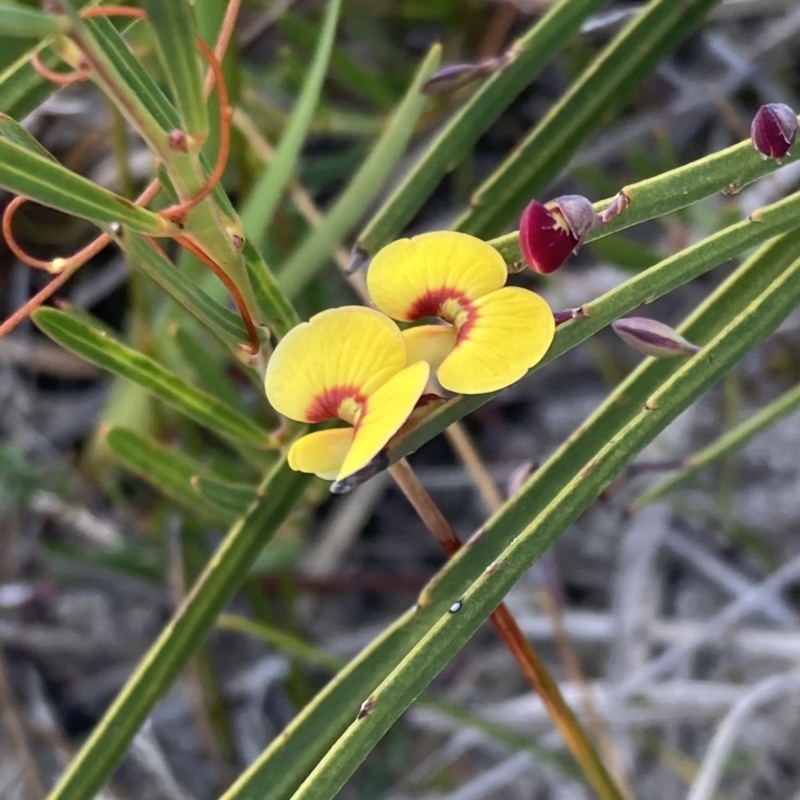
[{"x": 170, "y": 472}]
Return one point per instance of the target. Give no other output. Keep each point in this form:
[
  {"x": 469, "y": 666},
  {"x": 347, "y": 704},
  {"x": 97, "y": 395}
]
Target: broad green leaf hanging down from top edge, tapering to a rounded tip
[{"x": 176, "y": 43}]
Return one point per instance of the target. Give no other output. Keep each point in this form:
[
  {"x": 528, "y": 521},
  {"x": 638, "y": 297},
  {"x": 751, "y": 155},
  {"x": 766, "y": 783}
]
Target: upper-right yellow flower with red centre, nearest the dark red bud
[{"x": 493, "y": 334}]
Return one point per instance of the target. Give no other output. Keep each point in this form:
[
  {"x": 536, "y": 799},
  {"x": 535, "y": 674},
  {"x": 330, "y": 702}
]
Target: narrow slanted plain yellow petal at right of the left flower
[{"x": 386, "y": 411}]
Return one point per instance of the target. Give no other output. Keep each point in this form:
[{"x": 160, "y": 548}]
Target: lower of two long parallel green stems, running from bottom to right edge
[{"x": 527, "y": 542}]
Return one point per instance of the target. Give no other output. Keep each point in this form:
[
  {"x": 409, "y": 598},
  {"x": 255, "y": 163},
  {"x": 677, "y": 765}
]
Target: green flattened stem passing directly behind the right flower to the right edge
[{"x": 644, "y": 287}]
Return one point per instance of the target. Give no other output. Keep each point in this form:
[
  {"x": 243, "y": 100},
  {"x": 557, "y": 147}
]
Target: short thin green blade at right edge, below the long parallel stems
[{"x": 728, "y": 443}]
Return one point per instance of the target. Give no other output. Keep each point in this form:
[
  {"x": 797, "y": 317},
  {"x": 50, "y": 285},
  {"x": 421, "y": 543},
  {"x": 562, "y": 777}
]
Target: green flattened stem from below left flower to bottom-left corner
[{"x": 224, "y": 574}]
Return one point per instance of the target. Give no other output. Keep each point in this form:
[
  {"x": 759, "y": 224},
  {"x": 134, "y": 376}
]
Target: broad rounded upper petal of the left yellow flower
[{"x": 350, "y": 349}]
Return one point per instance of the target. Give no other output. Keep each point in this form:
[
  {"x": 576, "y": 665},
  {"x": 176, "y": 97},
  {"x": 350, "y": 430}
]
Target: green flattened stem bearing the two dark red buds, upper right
[{"x": 728, "y": 170}]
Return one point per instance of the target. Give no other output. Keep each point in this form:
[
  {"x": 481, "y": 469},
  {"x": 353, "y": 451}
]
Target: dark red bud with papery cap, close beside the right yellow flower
[{"x": 550, "y": 232}]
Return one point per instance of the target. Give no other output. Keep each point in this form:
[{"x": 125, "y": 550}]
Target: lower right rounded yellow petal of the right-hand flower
[{"x": 512, "y": 330}]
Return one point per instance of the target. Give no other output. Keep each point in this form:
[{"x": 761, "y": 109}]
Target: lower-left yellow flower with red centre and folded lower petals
[{"x": 348, "y": 364}]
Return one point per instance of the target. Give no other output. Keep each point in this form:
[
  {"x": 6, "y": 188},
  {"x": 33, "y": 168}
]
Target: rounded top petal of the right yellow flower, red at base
[{"x": 409, "y": 278}]
